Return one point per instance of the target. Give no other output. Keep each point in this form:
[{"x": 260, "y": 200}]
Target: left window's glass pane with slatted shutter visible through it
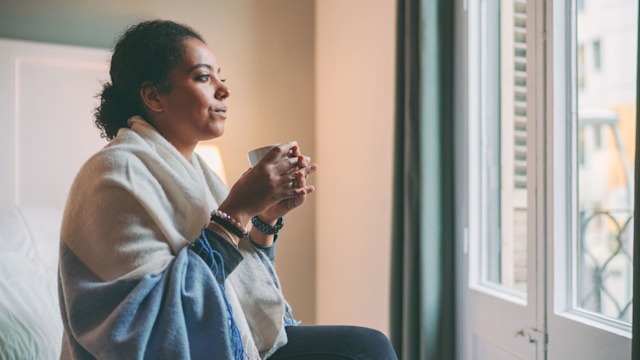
[{"x": 504, "y": 141}]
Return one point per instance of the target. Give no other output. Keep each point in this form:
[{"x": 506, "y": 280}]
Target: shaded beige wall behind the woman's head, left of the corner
[{"x": 266, "y": 50}]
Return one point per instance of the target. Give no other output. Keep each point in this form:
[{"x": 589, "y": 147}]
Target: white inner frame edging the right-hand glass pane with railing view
[{"x": 562, "y": 152}]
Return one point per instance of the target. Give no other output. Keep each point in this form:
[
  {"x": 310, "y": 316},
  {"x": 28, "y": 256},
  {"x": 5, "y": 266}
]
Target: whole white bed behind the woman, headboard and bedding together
[{"x": 46, "y": 133}]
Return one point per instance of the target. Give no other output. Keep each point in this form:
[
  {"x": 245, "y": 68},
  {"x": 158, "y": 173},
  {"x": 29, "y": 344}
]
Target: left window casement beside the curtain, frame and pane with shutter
[{"x": 498, "y": 184}]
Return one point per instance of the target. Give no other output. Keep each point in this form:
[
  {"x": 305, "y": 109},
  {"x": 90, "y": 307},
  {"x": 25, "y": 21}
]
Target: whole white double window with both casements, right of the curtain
[{"x": 550, "y": 143}]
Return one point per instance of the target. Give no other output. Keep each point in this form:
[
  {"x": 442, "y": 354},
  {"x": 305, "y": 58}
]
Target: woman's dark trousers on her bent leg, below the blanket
[{"x": 335, "y": 343}]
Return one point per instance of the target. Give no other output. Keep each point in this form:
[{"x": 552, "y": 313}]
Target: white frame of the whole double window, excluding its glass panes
[{"x": 570, "y": 333}]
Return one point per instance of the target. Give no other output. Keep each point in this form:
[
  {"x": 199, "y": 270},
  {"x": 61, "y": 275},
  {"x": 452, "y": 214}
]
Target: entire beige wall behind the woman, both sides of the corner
[{"x": 319, "y": 72}]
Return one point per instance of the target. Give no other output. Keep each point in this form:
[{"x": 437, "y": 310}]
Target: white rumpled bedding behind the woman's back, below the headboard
[{"x": 30, "y": 323}]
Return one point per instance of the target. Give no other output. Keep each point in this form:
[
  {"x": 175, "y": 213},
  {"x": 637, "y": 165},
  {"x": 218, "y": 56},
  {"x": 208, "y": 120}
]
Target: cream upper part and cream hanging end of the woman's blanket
[{"x": 138, "y": 202}]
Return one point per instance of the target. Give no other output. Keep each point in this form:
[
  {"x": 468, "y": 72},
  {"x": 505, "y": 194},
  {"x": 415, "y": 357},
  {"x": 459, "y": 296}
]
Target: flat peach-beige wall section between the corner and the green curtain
[{"x": 355, "y": 54}]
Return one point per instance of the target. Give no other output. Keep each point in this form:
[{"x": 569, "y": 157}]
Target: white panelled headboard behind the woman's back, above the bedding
[{"x": 47, "y": 93}]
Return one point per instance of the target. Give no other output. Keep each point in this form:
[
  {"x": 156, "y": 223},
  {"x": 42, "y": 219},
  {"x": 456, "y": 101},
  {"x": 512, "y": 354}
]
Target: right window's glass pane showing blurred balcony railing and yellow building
[{"x": 606, "y": 55}]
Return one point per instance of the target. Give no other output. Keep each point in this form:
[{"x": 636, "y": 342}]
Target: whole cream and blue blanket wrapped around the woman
[{"x": 129, "y": 285}]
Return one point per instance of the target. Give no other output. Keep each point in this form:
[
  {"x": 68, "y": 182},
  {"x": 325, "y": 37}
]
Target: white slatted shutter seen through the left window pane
[{"x": 513, "y": 153}]
